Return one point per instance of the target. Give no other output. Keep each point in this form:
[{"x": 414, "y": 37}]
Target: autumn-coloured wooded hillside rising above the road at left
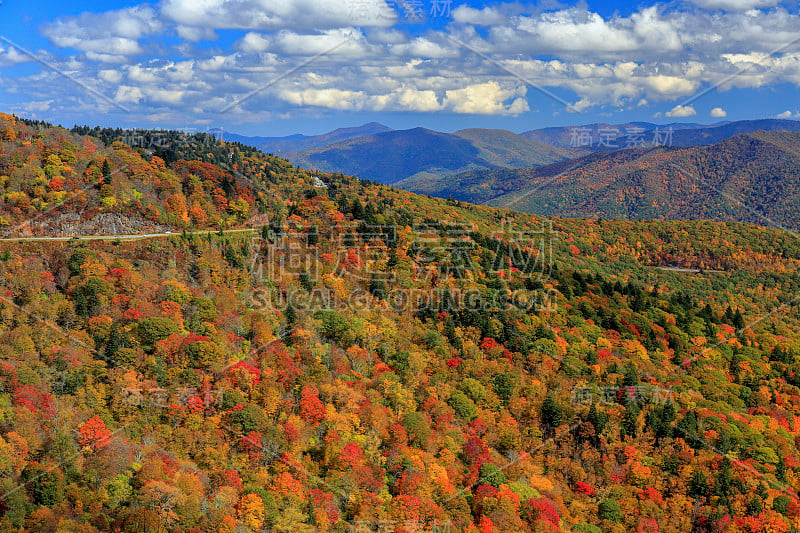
[{"x": 58, "y": 182}]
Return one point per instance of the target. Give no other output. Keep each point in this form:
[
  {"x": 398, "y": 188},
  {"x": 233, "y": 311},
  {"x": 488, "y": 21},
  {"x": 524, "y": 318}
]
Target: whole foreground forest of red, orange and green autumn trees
[{"x": 368, "y": 359}]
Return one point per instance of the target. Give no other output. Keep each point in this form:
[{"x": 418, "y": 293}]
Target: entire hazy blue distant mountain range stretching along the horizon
[{"x": 424, "y": 160}]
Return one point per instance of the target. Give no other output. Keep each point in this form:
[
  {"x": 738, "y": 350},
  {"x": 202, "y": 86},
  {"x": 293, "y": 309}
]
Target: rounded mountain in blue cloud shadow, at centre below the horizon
[{"x": 419, "y": 153}]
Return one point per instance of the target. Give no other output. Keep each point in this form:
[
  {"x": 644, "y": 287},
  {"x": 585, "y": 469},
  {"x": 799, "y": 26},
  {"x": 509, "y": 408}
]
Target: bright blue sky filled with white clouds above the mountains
[{"x": 281, "y": 67}]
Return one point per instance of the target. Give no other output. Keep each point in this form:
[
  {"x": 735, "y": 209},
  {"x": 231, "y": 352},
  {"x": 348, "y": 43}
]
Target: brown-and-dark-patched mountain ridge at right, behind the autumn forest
[{"x": 752, "y": 177}]
